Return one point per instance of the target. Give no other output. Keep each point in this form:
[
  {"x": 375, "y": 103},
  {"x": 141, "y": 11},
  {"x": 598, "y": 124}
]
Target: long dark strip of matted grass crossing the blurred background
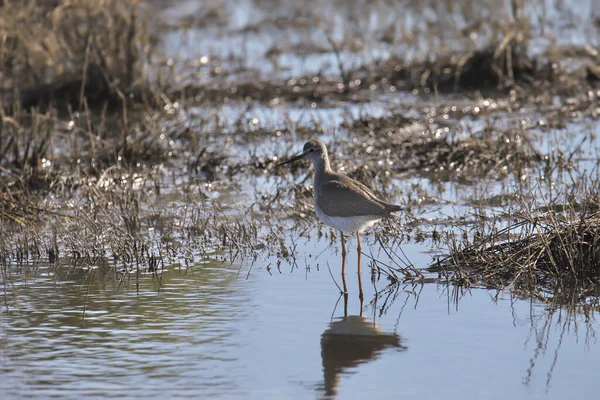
[{"x": 505, "y": 65}]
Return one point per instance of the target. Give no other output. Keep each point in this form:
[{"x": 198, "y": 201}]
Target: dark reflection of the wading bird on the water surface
[{"x": 348, "y": 342}]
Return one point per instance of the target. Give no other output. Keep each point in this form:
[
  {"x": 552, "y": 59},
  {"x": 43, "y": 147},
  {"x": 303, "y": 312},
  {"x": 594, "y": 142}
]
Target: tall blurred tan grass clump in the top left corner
[{"x": 72, "y": 52}]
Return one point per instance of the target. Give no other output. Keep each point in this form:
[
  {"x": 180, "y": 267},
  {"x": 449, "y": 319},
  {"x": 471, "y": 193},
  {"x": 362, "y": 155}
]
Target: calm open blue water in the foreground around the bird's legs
[{"x": 225, "y": 331}]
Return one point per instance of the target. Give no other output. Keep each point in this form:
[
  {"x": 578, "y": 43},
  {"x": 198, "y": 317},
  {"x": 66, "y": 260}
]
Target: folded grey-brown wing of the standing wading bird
[{"x": 346, "y": 199}]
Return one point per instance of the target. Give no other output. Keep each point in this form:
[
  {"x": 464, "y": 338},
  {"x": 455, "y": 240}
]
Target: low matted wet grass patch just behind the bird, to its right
[{"x": 444, "y": 154}]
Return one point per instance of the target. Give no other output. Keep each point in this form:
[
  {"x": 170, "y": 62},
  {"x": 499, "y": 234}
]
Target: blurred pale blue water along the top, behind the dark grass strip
[{"x": 262, "y": 38}]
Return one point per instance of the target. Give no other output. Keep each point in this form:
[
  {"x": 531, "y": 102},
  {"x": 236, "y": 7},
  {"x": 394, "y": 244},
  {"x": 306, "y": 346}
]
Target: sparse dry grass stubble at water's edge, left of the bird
[{"x": 111, "y": 219}]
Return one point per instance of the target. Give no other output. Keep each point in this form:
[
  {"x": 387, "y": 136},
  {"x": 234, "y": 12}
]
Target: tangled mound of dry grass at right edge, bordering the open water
[{"x": 551, "y": 252}]
